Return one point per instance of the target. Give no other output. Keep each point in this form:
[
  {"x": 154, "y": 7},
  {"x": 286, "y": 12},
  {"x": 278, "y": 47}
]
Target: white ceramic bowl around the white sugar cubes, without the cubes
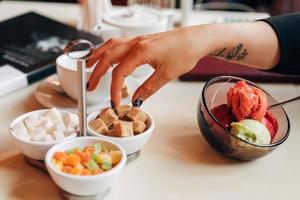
[{"x": 32, "y": 149}]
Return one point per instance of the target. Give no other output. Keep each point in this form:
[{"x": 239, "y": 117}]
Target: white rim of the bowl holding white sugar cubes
[{"x": 42, "y": 143}]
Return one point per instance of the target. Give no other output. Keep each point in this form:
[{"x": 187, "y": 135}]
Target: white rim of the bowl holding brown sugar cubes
[{"x": 143, "y": 134}]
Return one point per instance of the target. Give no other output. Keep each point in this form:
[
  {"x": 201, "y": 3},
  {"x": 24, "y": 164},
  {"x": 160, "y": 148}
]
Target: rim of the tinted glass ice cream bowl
[{"x": 208, "y": 83}]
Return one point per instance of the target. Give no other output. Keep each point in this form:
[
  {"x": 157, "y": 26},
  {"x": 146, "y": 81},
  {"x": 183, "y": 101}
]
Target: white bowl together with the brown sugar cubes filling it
[{"x": 129, "y": 127}]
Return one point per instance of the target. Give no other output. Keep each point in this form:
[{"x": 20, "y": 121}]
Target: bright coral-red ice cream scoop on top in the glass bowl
[{"x": 247, "y": 102}]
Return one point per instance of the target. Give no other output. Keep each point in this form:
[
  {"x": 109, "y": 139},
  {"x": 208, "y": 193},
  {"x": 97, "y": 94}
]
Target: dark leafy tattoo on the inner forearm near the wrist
[{"x": 235, "y": 53}]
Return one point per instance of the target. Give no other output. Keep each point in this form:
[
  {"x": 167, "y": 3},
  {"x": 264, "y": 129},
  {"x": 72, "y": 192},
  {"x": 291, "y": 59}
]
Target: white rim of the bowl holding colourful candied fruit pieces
[{"x": 119, "y": 166}]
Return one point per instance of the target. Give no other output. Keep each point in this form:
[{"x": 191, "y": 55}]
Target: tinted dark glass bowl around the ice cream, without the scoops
[{"x": 220, "y": 137}]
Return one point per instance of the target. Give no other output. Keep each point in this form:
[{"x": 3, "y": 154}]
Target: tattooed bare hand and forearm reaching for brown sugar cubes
[{"x": 176, "y": 52}]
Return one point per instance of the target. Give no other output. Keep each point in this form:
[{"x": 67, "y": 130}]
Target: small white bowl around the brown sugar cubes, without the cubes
[{"x": 130, "y": 144}]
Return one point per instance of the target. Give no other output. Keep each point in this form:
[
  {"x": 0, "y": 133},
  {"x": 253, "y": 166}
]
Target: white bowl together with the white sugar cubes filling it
[{"x": 36, "y": 132}]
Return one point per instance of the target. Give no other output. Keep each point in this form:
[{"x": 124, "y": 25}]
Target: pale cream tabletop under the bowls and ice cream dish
[{"x": 176, "y": 163}]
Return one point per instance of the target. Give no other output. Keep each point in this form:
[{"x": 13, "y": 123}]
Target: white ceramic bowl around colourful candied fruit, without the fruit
[{"x": 84, "y": 185}]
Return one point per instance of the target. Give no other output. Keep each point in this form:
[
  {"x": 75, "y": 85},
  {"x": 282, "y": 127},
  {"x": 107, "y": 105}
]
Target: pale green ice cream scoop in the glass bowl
[{"x": 252, "y": 131}]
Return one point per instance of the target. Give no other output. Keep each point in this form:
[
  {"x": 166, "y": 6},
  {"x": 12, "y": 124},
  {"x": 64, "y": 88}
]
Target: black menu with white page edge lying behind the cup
[{"x": 29, "y": 45}]
